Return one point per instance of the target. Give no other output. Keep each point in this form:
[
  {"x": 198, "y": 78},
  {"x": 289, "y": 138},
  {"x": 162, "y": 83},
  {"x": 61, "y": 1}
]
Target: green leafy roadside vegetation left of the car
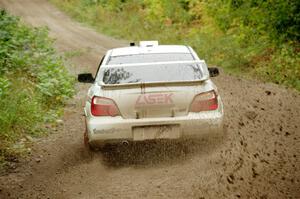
[{"x": 34, "y": 86}]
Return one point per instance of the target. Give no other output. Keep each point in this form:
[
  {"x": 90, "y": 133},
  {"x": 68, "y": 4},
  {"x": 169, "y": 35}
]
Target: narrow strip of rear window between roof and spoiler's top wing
[{"x": 150, "y": 58}]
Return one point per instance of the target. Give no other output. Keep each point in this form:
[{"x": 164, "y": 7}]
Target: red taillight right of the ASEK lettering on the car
[{"x": 204, "y": 102}]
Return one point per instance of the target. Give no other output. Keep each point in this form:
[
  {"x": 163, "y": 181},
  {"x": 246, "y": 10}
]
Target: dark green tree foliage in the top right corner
[{"x": 279, "y": 19}]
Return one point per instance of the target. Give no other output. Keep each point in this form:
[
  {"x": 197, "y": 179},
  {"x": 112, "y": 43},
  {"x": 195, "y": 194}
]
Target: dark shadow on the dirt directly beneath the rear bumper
[{"x": 152, "y": 153}]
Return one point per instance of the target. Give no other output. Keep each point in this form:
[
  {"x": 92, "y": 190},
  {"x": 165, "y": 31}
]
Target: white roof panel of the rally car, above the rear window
[{"x": 132, "y": 50}]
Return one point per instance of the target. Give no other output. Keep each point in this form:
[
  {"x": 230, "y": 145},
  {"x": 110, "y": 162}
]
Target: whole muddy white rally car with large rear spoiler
[{"x": 149, "y": 92}]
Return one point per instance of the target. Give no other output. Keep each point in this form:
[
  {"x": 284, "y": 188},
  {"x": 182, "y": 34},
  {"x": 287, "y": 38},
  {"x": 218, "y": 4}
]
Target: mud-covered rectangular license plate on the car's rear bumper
[{"x": 156, "y": 132}]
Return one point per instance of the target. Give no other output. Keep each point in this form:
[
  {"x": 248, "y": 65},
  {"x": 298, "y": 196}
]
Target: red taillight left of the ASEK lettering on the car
[{"x": 104, "y": 107}]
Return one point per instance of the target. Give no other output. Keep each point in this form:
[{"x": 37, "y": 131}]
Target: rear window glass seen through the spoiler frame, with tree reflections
[{"x": 147, "y": 73}]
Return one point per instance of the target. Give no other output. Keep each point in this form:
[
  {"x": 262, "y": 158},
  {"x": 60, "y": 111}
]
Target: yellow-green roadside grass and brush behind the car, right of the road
[{"x": 246, "y": 50}]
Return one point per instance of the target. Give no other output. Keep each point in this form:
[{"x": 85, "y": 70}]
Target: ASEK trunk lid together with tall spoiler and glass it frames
[{"x": 153, "y": 90}]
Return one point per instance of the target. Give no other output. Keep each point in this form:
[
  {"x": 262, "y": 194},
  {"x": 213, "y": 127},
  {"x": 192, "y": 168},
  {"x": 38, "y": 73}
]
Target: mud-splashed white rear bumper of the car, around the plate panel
[{"x": 114, "y": 129}]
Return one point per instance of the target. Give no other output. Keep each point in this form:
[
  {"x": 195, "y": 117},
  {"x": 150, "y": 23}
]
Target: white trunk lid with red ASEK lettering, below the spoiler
[{"x": 150, "y": 102}]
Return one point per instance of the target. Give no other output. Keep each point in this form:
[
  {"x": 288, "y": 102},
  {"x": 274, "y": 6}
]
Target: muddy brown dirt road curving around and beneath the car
[{"x": 258, "y": 156}]
